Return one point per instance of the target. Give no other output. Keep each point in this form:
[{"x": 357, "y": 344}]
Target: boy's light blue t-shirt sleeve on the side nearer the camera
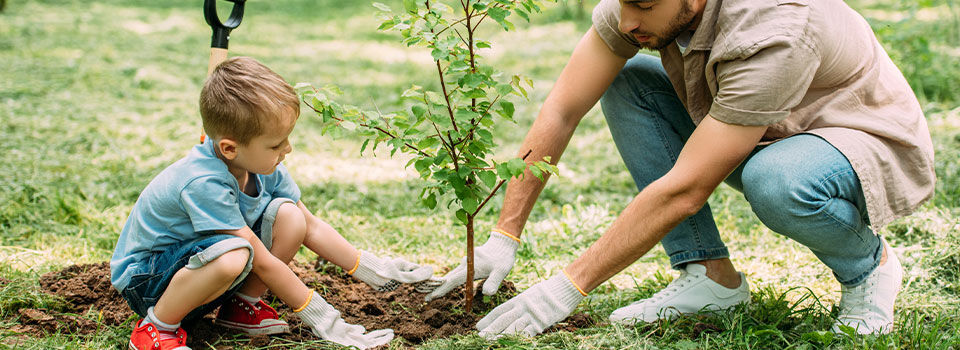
[{"x": 211, "y": 205}]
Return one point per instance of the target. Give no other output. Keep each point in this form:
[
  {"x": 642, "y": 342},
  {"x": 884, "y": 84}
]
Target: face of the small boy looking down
[{"x": 263, "y": 153}]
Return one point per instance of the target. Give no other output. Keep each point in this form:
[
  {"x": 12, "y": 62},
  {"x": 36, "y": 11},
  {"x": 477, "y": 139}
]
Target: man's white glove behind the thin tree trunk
[{"x": 493, "y": 261}]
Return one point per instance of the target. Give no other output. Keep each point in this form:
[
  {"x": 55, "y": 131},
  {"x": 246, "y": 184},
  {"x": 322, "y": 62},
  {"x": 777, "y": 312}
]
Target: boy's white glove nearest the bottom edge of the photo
[{"x": 326, "y": 323}]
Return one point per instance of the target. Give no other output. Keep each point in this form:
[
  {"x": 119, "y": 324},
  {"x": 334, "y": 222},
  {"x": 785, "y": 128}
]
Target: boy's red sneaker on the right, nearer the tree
[{"x": 257, "y": 319}]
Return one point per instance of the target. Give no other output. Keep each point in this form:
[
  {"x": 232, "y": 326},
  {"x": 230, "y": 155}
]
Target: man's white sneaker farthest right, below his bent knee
[{"x": 868, "y": 307}]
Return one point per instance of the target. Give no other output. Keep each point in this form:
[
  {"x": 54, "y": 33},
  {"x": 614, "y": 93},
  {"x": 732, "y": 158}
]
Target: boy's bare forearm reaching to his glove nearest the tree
[{"x": 324, "y": 240}]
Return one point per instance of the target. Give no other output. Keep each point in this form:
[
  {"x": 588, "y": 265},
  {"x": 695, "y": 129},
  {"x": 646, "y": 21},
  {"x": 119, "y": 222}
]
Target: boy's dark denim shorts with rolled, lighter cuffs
[{"x": 154, "y": 275}]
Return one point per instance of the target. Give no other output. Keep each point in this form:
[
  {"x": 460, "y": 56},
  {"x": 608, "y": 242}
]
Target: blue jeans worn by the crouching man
[{"x": 801, "y": 187}]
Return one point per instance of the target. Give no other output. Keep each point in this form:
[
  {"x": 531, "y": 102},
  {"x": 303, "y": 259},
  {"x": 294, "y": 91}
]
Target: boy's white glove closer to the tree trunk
[{"x": 386, "y": 274}]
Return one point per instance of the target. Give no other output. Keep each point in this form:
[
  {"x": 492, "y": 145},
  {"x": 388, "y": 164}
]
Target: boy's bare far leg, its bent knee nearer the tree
[{"x": 289, "y": 229}]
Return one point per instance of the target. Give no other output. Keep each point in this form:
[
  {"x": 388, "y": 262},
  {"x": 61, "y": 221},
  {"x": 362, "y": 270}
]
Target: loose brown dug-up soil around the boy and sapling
[{"x": 91, "y": 302}]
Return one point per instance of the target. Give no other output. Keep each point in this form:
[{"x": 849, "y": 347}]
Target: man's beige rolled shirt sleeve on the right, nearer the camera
[{"x": 761, "y": 88}]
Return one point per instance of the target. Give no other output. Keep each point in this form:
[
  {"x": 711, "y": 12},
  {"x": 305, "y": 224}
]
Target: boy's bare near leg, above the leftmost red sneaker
[{"x": 190, "y": 289}]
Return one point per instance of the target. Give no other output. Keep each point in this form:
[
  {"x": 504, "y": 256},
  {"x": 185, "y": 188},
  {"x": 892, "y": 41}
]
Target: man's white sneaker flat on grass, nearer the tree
[{"x": 690, "y": 293}]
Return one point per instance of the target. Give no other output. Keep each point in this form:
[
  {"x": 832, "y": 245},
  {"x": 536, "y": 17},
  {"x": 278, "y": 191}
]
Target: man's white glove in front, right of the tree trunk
[{"x": 534, "y": 310}]
